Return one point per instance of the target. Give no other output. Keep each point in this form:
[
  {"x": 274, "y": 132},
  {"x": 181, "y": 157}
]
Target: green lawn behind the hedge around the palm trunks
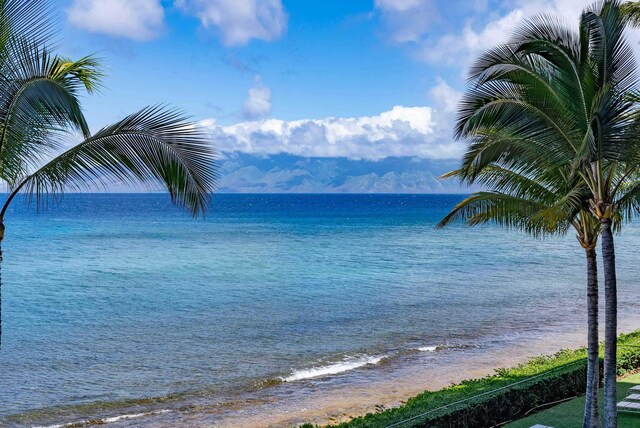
[{"x": 569, "y": 414}]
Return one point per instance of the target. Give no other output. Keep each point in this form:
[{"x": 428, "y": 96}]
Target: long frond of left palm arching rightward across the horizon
[{"x": 156, "y": 144}]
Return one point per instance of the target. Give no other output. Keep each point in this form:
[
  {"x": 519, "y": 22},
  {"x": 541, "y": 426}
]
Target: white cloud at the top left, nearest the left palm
[{"x": 133, "y": 19}]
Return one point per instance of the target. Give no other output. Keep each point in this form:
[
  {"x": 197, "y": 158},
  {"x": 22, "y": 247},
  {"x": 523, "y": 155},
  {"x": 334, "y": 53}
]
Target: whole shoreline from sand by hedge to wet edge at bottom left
[{"x": 336, "y": 399}]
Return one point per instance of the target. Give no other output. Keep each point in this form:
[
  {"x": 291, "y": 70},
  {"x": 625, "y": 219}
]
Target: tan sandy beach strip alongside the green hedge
[{"x": 335, "y": 405}]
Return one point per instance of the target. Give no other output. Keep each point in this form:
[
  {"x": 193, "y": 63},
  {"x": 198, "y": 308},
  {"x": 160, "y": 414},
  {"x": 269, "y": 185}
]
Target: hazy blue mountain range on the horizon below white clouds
[{"x": 244, "y": 173}]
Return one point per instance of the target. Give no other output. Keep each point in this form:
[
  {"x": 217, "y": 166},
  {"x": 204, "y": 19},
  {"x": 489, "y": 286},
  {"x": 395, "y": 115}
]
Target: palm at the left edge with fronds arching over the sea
[{"x": 40, "y": 109}]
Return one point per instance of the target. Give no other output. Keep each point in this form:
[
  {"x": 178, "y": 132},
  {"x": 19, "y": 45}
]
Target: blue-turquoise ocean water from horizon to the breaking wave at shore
[{"x": 116, "y": 297}]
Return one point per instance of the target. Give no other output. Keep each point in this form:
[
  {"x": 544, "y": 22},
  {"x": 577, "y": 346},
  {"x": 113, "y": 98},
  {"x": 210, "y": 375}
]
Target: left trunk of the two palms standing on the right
[{"x": 591, "y": 416}]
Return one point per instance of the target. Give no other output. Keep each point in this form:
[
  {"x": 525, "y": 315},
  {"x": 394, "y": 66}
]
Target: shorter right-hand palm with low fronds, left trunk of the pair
[{"x": 538, "y": 204}]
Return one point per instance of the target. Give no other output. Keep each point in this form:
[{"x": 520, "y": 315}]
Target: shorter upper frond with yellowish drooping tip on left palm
[{"x": 40, "y": 93}]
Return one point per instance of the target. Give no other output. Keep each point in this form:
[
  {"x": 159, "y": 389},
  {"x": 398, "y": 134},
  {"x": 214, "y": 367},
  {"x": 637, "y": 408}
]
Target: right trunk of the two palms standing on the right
[{"x": 611, "y": 325}]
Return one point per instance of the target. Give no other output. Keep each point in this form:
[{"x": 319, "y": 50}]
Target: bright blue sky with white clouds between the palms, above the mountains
[{"x": 353, "y": 79}]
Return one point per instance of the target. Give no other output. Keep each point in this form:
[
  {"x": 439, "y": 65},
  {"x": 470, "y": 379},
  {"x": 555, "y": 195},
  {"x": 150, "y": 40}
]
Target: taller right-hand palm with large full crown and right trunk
[{"x": 556, "y": 99}]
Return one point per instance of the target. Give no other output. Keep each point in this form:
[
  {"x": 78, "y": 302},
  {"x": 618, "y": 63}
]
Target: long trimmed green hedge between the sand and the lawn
[{"x": 506, "y": 395}]
